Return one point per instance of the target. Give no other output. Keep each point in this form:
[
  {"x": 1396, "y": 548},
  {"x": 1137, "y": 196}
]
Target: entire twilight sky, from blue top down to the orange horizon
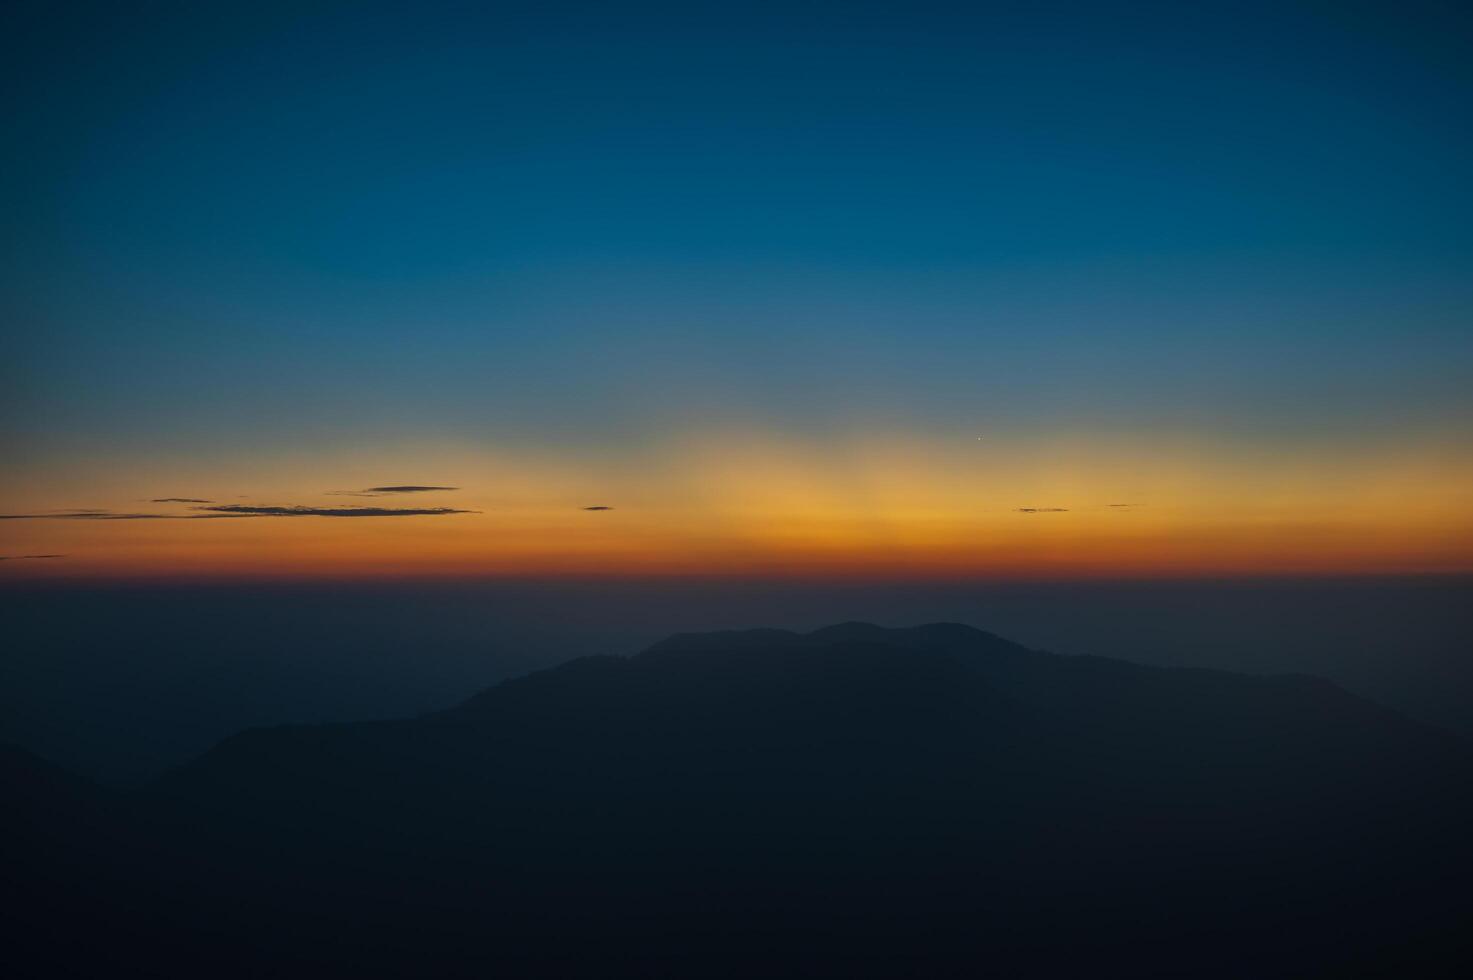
[{"x": 796, "y": 290}]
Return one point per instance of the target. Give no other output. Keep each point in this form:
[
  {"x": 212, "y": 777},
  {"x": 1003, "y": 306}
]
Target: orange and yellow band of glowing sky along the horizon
[{"x": 749, "y": 505}]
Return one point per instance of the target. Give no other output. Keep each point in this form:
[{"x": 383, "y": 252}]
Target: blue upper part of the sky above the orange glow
[{"x": 270, "y": 226}]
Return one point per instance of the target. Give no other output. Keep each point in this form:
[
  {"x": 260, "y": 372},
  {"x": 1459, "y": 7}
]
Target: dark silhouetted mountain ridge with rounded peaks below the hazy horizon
[{"x": 849, "y": 802}]
